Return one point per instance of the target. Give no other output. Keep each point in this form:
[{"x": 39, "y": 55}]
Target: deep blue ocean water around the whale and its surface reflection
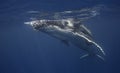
[{"x": 23, "y": 50}]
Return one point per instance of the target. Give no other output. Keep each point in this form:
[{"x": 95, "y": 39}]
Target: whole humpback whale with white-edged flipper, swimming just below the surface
[{"x": 69, "y": 32}]
